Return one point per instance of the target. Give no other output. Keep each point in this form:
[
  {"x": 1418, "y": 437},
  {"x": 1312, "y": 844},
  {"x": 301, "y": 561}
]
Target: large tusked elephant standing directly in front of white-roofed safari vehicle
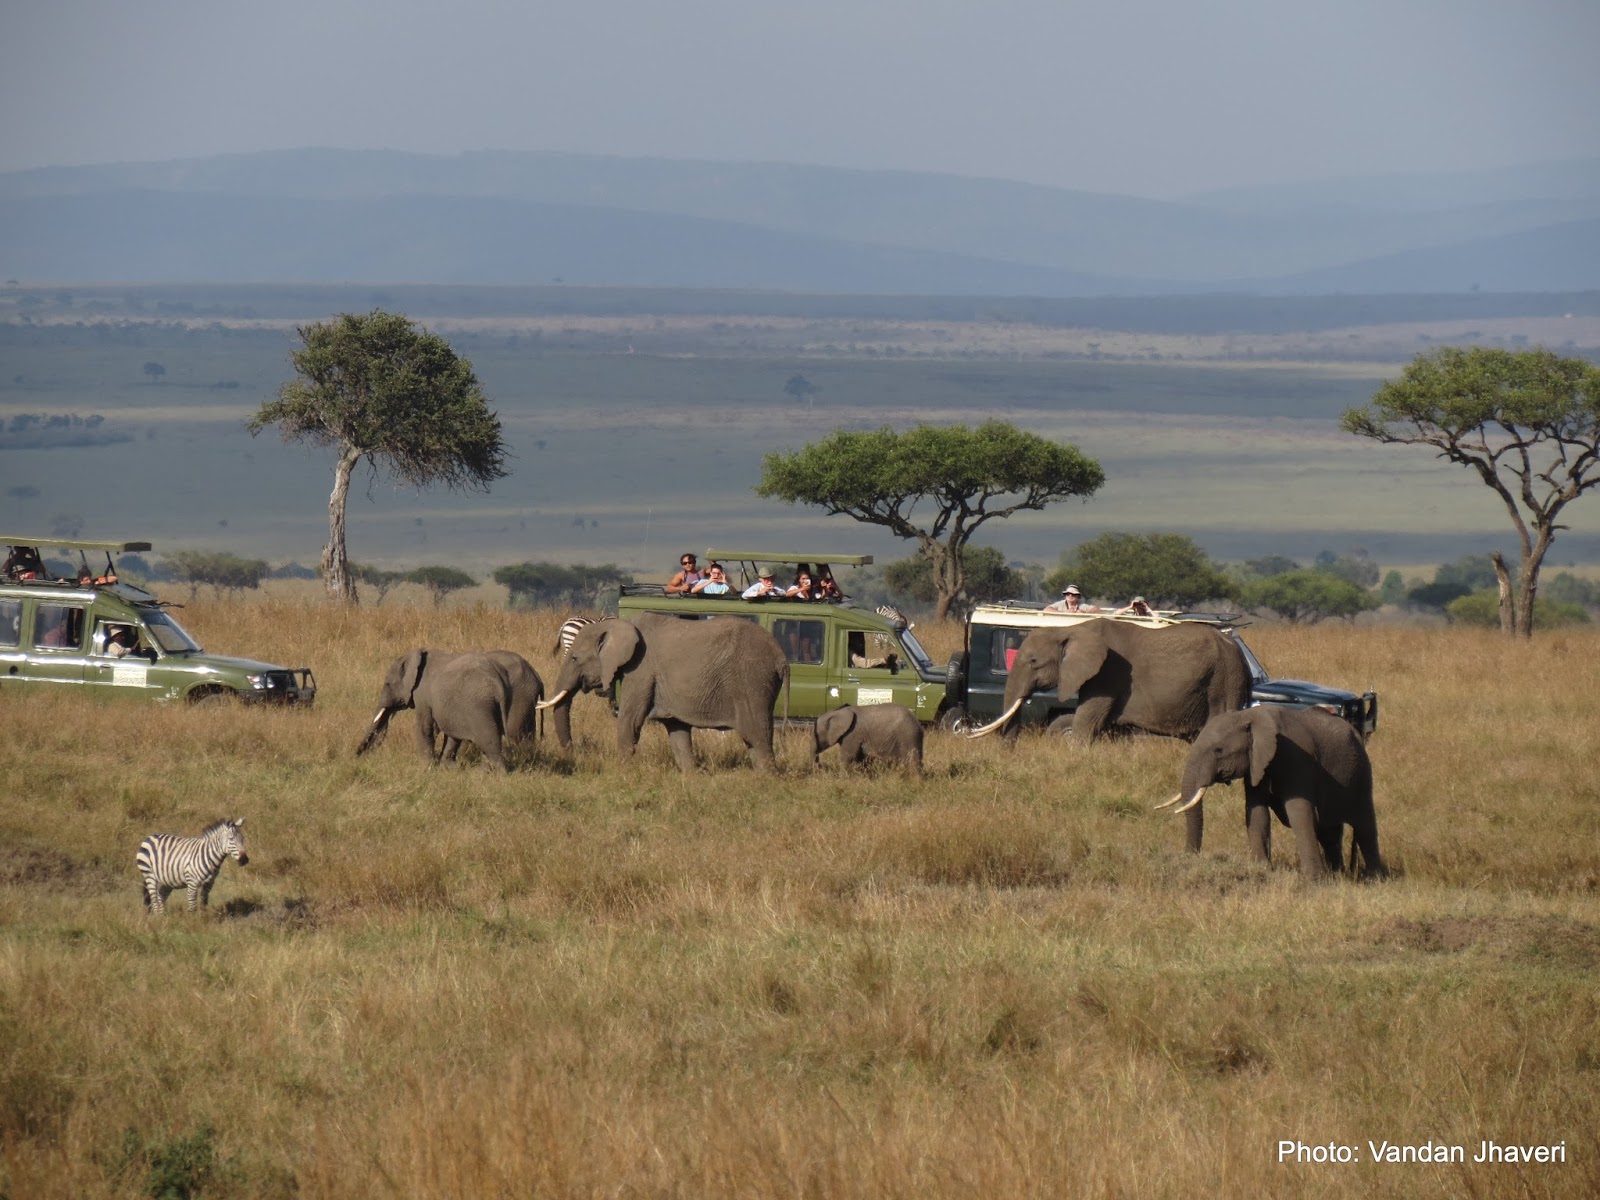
[{"x": 1169, "y": 681}]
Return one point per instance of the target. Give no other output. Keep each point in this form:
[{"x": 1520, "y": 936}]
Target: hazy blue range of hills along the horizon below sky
[{"x": 534, "y": 218}]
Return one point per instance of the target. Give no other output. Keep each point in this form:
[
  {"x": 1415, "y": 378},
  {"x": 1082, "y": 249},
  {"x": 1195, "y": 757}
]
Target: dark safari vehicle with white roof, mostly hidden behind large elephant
[{"x": 977, "y": 678}]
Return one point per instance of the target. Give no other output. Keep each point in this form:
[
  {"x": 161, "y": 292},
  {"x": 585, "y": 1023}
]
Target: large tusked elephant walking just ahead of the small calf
[{"x": 689, "y": 674}]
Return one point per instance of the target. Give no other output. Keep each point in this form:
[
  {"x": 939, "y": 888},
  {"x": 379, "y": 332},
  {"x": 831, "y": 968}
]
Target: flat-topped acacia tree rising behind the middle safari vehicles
[{"x": 956, "y": 473}]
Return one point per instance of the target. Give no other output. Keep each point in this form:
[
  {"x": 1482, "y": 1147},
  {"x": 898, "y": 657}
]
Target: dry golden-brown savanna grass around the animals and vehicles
[{"x": 599, "y": 978}]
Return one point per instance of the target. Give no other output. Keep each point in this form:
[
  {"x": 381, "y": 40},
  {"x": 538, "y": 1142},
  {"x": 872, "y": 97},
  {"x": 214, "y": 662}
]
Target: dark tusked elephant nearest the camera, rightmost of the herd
[{"x": 1306, "y": 767}]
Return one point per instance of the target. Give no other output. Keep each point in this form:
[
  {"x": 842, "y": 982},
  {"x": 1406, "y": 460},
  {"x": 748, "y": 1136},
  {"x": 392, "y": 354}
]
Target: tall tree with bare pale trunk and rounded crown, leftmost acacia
[{"x": 378, "y": 388}]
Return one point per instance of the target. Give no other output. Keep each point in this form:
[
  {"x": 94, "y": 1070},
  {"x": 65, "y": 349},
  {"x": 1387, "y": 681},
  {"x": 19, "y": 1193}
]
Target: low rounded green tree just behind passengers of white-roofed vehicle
[{"x": 1166, "y": 569}]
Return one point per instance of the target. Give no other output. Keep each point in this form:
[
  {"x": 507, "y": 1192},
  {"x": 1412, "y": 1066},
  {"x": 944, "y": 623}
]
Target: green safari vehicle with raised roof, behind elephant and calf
[{"x": 839, "y": 654}]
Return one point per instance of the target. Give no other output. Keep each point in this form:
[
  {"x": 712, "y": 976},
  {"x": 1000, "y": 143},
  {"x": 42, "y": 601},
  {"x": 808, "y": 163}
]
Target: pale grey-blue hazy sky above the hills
[{"x": 1146, "y": 97}]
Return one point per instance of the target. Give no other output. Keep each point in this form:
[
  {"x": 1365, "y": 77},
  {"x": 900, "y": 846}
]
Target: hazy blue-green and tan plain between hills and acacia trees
[{"x": 636, "y": 438}]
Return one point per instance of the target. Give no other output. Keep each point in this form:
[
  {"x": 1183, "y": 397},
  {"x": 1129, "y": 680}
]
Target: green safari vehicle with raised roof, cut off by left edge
[{"x": 113, "y": 639}]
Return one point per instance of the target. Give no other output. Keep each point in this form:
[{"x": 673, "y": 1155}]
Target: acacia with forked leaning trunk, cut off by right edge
[{"x": 1526, "y": 422}]
